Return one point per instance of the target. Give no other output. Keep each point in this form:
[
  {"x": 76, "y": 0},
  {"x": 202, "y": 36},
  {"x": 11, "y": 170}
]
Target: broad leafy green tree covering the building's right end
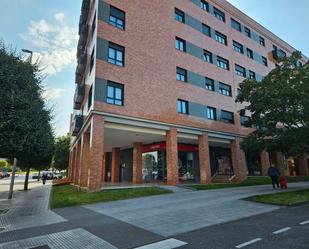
[{"x": 279, "y": 108}]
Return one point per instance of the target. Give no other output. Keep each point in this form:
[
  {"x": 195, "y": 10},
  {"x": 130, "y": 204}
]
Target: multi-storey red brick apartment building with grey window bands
[{"x": 156, "y": 83}]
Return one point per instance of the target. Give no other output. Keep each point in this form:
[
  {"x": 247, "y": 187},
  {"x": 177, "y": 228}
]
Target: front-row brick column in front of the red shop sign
[{"x": 172, "y": 156}]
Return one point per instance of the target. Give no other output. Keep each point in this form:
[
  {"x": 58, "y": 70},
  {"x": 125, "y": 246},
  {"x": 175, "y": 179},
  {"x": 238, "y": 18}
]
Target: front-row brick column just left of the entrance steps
[{"x": 204, "y": 158}]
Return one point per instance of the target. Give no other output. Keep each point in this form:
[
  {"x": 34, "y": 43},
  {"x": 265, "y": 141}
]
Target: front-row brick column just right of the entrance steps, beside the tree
[{"x": 238, "y": 160}]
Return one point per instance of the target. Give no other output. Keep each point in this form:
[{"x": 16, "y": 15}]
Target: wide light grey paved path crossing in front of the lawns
[{"x": 171, "y": 214}]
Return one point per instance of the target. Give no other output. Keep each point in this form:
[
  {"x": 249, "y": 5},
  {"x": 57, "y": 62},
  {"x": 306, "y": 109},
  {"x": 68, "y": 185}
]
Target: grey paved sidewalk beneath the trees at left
[{"x": 27, "y": 208}]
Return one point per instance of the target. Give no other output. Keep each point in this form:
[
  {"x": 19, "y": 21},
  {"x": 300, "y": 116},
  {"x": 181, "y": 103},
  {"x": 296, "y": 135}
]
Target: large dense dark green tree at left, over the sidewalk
[{"x": 25, "y": 129}]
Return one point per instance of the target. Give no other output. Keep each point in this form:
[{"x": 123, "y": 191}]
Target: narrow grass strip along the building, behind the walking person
[{"x": 250, "y": 181}]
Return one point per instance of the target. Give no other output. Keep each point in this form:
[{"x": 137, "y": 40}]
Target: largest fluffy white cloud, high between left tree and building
[{"x": 55, "y": 43}]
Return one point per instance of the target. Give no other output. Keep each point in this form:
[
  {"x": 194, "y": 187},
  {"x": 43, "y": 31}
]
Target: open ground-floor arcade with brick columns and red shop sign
[{"x": 111, "y": 150}]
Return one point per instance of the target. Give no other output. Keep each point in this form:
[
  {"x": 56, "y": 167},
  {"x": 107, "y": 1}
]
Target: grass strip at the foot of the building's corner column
[{"x": 66, "y": 195}]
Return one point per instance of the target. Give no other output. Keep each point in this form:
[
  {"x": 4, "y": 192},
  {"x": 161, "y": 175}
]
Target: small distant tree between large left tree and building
[{"x": 61, "y": 152}]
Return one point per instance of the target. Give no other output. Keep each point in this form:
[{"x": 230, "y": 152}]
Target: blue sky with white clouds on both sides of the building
[{"x": 50, "y": 28}]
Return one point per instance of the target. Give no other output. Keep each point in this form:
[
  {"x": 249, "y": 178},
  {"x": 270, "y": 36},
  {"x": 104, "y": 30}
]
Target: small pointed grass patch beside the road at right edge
[{"x": 284, "y": 198}]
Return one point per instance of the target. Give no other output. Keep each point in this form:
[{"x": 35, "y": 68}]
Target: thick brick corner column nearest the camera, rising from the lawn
[{"x": 95, "y": 181}]
